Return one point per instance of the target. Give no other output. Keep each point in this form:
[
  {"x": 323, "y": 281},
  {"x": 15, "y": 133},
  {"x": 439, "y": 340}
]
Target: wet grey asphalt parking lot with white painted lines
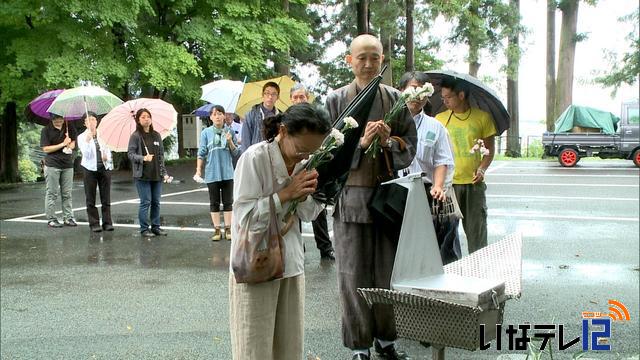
[{"x": 71, "y": 294}]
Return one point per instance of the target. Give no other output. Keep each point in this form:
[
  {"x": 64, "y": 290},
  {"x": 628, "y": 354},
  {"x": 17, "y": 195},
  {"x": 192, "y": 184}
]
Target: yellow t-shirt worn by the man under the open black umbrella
[{"x": 463, "y": 133}]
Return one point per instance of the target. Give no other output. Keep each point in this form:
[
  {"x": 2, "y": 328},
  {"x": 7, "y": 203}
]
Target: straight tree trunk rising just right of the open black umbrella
[{"x": 513, "y": 65}]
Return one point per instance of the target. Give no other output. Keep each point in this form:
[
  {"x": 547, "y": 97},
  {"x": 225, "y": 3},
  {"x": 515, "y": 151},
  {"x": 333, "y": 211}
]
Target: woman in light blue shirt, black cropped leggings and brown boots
[{"x": 218, "y": 145}]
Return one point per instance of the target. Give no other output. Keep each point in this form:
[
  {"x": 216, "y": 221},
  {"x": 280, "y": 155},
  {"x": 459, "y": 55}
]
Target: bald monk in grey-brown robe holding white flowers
[{"x": 364, "y": 252}]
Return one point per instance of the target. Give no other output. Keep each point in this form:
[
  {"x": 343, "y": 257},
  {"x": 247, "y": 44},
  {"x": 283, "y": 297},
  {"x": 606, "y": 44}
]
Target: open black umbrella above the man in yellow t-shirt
[{"x": 480, "y": 96}]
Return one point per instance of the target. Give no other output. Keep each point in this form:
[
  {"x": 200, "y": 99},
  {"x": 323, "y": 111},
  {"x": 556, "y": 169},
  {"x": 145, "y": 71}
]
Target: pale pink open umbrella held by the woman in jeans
[{"x": 118, "y": 125}]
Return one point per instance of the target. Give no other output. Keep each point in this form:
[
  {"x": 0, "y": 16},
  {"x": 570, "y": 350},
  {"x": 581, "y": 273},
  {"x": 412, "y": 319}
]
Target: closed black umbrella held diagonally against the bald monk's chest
[{"x": 332, "y": 175}]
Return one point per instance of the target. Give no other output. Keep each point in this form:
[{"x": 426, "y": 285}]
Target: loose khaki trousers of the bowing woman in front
[{"x": 267, "y": 319}]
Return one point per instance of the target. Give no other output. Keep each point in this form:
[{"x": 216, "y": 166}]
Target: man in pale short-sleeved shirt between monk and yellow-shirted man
[{"x": 434, "y": 157}]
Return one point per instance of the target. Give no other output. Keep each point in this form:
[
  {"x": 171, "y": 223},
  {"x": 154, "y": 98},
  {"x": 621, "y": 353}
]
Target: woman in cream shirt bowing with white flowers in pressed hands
[{"x": 266, "y": 319}]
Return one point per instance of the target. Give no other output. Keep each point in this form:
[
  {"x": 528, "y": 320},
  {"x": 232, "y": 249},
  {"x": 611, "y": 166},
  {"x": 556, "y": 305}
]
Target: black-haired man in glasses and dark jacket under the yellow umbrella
[{"x": 253, "y": 120}]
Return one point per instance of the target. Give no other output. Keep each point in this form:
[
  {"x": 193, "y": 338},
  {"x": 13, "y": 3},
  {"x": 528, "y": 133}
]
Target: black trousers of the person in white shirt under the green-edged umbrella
[{"x": 100, "y": 179}]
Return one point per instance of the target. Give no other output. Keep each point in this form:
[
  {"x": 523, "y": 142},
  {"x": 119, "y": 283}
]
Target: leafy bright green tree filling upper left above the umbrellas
[{"x": 139, "y": 48}]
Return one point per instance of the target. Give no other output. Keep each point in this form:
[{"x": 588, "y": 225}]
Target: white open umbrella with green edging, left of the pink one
[{"x": 80, "y": 100}]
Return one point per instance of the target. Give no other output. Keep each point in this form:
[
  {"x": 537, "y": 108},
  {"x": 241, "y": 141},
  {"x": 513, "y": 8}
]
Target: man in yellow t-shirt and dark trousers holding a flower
[{"x": 466, "y": 125}]
